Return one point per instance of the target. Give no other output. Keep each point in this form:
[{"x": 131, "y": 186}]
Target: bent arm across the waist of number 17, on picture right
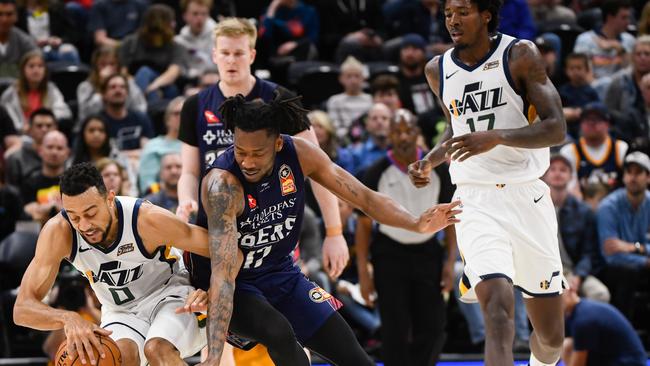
[{"x": 529, "y": 73}]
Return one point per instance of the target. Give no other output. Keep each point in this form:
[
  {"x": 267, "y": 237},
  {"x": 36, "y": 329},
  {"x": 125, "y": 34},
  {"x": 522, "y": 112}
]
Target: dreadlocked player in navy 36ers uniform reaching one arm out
[{"x": 254, "y": 197}]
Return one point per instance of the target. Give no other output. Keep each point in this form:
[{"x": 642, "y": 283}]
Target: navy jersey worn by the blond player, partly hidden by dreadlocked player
[{"x": 212, "y": 134}]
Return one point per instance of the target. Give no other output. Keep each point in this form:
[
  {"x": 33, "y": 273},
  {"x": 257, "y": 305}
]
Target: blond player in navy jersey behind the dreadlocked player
[{"x": 204, "y": 138}]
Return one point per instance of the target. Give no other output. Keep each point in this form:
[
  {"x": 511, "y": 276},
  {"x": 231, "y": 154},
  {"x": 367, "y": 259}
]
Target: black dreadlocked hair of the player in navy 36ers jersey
[{"x": 277, "y": 116}]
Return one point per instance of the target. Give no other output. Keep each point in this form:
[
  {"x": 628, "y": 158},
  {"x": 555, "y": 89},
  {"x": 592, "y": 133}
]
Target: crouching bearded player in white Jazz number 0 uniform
[{"x": 125, "y": 247}]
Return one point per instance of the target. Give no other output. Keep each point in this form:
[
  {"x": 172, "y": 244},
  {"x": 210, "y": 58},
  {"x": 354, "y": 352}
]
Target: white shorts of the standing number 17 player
[{"x": 509, "y": 231}]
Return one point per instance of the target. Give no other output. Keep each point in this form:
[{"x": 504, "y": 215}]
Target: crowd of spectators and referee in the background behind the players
[{"x": 104, "y": 81}]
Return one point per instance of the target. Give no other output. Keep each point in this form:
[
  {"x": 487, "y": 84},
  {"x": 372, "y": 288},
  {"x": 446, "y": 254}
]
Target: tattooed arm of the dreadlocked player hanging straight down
[{"x": 223, "y": 198}]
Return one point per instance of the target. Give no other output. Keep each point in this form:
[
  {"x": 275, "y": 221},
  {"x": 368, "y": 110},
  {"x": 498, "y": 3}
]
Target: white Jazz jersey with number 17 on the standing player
[{"x": 484, "y": 97}]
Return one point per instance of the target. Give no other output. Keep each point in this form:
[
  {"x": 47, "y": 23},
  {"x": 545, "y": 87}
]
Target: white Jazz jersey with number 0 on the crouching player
[{"x": 124, "y": 274}]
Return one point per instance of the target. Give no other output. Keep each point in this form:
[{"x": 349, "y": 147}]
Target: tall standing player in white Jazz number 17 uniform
[{"x": 504, "y": 113}]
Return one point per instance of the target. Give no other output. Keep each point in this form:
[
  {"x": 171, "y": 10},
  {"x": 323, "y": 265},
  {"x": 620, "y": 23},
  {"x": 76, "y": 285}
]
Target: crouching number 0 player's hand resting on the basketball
[{"x": 81, "y": 337}]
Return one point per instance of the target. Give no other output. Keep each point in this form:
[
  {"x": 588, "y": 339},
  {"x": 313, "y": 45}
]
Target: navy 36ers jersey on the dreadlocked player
[{"x": 269, "y": 227}]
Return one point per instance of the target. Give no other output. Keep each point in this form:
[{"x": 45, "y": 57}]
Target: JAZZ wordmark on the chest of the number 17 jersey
[{"x": 476, "y": 99}]
